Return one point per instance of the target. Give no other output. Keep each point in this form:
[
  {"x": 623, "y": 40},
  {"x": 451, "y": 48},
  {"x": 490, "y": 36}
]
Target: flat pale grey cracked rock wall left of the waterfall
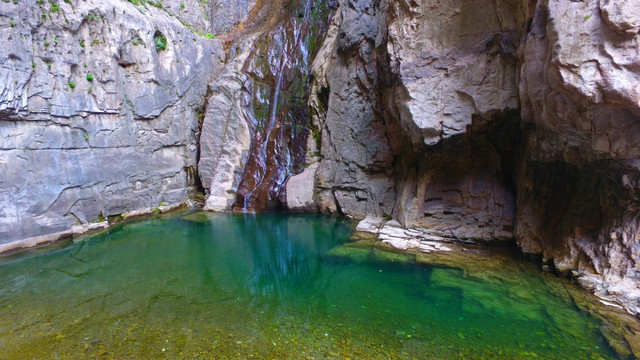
[{"x": 94, "y": 120}]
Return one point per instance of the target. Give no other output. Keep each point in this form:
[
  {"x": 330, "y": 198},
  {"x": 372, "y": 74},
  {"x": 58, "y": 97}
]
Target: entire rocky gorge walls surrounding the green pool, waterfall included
[{"x": 490, "y": 121}]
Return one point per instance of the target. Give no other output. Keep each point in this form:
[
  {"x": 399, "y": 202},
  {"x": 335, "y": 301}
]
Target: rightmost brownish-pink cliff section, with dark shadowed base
[{"x": 578, "y": 181}]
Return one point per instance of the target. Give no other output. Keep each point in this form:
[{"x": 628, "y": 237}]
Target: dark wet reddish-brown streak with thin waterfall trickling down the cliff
[{"x": 279, "y": 68}]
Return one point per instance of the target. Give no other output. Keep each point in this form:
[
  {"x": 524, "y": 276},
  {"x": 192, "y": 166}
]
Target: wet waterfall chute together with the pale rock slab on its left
[{"x": 255, "y": 129}]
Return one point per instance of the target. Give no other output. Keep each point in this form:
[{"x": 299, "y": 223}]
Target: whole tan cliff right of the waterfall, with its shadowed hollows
[{"x": 489, "y": 120}]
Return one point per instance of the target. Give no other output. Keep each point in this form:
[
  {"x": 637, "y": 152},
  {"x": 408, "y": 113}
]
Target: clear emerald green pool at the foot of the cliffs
[{"x": 273, "y": 286}]
